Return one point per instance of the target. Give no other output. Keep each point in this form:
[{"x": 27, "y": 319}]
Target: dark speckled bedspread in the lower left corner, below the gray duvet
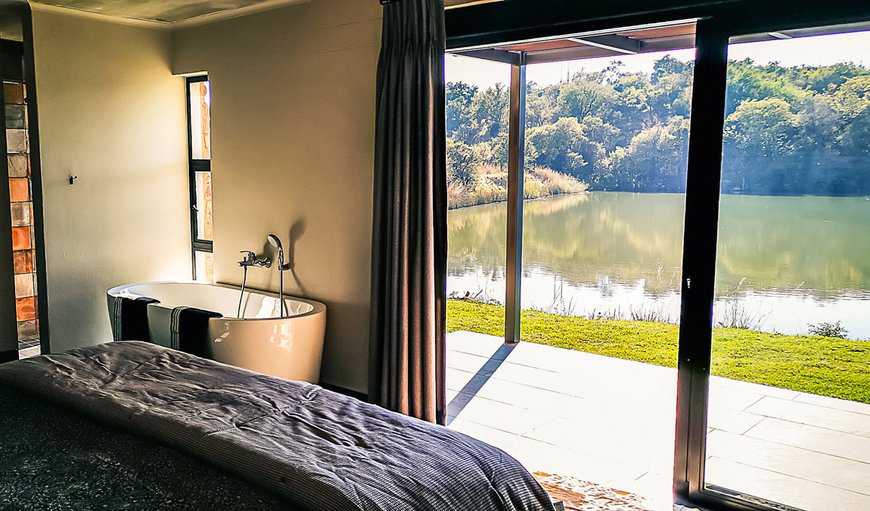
[{"x": 52, "y": 459}]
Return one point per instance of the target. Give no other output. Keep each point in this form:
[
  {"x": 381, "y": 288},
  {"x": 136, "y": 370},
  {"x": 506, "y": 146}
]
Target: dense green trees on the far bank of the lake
[{"x": 801, "y": 130}]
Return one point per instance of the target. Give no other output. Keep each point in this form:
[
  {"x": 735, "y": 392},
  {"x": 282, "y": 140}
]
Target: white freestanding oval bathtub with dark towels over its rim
[{"x": 261, "y": 341}]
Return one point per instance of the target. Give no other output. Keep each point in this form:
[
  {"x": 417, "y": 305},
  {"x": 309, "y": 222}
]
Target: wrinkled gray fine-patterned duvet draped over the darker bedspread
[{"x": 315, "y": 448}]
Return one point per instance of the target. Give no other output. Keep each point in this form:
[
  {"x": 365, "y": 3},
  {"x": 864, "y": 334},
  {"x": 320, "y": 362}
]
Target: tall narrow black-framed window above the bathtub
[{"x": 199, "y": 168}]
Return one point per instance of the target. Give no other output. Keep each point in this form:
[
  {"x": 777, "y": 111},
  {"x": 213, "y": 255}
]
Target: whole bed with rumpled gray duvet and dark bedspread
[{"x": 135, "y": 425}]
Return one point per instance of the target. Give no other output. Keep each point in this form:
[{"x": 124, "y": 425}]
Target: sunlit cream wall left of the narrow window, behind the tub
[{"x": 112, "y": 113}]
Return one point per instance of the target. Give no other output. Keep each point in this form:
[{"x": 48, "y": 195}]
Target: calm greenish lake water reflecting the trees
[{"x": 783, "y": 262}]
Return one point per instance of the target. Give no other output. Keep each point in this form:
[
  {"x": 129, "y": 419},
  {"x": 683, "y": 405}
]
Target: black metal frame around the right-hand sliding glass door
[{"x": 714, "y": 37}]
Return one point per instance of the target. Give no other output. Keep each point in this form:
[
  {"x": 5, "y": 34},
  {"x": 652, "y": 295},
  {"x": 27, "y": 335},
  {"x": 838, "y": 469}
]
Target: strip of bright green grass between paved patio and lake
[{"x": 818, "y": 365}]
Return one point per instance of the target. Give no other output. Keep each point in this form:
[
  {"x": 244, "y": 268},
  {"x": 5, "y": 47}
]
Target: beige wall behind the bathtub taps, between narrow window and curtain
[{"x": 293, "y": 114}]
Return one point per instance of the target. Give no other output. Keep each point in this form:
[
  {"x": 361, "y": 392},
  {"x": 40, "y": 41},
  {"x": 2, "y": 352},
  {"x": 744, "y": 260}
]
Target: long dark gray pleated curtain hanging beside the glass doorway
[{"x": 409, "y": 236}]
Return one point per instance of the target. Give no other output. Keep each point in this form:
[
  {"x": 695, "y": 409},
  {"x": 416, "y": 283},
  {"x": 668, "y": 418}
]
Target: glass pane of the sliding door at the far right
[{"x": 789, "y": 401}]
